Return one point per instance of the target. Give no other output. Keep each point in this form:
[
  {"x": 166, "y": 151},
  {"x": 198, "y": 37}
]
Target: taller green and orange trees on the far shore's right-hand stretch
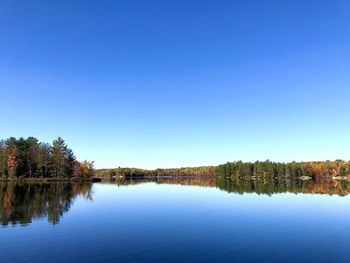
[{"x": 276, "y": 169}]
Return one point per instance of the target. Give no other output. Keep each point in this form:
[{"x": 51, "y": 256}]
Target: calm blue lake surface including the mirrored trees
[{"x": 176, "y": 221}]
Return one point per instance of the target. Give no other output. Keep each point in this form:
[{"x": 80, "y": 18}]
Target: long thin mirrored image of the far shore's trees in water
[{"x": 259, "y": 185}]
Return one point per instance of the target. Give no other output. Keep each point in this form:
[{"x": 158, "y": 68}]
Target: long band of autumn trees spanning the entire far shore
[{"x": 241, "y": 169}]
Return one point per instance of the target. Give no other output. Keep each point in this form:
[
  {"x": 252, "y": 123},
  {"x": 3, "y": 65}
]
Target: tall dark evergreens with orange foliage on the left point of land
[{"x": 29, "y": 158}]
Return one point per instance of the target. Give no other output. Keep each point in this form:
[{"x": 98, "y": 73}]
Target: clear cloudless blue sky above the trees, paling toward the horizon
[{"x": 178, "y": 83}]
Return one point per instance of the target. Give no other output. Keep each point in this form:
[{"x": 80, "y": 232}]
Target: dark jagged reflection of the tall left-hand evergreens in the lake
[{"x": 23, "y": 202}]
